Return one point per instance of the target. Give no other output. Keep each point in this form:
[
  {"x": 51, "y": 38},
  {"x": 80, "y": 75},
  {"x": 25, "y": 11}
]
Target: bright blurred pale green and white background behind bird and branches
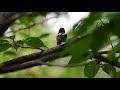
[{"x": 50, "y": 24}]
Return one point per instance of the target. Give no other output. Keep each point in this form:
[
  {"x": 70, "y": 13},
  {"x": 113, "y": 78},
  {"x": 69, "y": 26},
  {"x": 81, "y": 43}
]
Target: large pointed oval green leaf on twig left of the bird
[{"x": 34, "y": 42}]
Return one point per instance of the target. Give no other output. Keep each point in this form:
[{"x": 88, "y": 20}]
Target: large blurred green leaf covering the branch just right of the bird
[{"x": 78, "y": 49}]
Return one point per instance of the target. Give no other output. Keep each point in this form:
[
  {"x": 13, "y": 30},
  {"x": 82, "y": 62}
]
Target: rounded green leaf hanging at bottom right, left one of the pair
[{"x": 91, "y": 69}]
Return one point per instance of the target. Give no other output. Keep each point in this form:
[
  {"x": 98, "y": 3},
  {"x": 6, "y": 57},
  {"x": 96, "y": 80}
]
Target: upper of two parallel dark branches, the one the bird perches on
[{"x": 31, "y": 57}]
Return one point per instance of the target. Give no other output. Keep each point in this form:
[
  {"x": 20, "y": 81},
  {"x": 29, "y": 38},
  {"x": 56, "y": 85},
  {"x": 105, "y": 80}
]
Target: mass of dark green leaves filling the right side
[{"x": 100, "y": 39}]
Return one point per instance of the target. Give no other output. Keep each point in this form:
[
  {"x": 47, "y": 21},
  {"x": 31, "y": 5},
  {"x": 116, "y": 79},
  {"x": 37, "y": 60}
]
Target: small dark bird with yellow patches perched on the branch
[{"x": 61, "y": 37}]
